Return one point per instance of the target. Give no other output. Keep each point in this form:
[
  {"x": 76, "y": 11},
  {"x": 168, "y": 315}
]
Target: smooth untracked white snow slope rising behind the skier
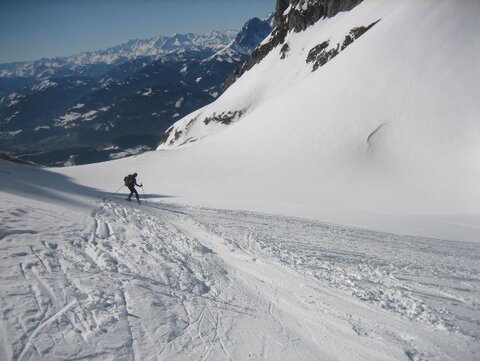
[{"x": 385, "y": 135}]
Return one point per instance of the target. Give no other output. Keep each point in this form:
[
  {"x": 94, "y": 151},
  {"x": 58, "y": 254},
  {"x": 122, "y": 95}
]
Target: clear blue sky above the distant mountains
[{"x": 31, "y": 29}]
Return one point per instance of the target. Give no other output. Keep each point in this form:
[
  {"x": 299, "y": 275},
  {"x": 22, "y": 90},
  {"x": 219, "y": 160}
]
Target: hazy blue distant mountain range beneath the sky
[{"x": 107, "y": 104}]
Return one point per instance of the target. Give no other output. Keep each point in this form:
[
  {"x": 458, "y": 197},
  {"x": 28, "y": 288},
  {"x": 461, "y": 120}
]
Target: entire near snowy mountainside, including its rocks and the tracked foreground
[{"x": 361, "y": 117}]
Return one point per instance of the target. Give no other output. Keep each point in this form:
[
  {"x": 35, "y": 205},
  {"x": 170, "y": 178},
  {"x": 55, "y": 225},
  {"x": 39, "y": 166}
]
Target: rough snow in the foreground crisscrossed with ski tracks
[{"x": 166, "y": 282}]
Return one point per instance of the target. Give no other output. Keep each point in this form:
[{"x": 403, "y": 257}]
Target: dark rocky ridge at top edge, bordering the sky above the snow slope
[{"x": 292, "y": 15}]
